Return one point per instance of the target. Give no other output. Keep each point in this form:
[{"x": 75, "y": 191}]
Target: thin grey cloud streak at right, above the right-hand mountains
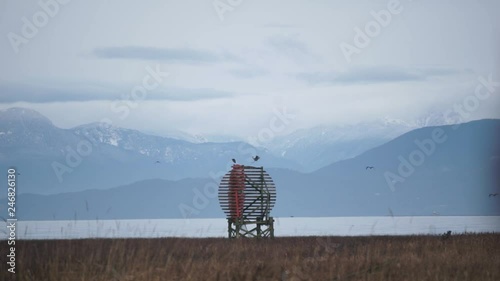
[{"x": 372, "y": 75}]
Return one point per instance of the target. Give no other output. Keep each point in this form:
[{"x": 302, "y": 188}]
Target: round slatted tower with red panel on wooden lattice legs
[{"x": 247, "y": 194}]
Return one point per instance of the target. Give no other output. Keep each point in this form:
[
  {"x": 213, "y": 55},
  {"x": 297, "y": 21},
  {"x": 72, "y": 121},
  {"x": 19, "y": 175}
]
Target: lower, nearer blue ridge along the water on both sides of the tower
[{"x": 454, "y": 177}]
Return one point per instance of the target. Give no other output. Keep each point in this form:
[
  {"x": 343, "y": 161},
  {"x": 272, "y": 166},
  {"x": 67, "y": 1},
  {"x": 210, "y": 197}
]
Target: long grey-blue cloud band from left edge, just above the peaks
[{"x": 11, "y": 93}]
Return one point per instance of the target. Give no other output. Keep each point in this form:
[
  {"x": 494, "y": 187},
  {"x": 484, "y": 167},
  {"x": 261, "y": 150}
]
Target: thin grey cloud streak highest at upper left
[{"x": 186, "y": 55}]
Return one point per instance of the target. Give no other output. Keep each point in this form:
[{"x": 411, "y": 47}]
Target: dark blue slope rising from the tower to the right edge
[{"x": 455, "y": 178}]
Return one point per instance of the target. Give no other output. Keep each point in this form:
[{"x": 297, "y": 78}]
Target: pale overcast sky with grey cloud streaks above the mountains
[{"x": 230, "y": 70}]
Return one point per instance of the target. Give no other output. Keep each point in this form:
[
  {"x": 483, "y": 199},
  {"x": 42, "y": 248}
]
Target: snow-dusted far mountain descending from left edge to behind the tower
[{"x": 96, "y": 155}]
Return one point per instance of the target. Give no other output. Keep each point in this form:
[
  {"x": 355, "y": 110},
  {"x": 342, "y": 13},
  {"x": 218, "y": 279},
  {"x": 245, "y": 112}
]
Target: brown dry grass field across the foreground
[{"x": 461, "y": 257}]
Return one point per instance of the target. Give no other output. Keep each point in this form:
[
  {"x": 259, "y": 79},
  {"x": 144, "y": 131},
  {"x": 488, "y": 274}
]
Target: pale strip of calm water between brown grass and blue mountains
[{"x": 346, "y": 226}]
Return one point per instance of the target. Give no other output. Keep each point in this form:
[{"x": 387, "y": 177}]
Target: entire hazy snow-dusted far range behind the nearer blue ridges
[{"x": 100, "y": 155}]
